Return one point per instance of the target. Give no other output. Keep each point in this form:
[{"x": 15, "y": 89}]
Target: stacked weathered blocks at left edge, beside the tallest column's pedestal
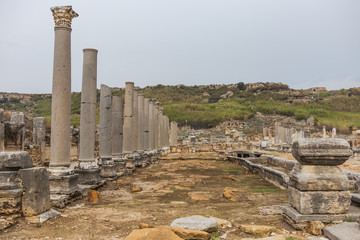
[{"x": 24, "y": 189}]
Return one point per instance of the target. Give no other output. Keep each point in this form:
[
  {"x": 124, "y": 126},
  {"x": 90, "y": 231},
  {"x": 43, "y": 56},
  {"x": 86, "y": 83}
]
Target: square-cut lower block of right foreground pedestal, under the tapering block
[{"x": 320, "y": 202}]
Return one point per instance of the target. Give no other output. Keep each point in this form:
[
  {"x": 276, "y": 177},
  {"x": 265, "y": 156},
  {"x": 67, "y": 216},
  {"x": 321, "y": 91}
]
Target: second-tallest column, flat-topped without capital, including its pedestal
[{"x": 87, "y": 168}]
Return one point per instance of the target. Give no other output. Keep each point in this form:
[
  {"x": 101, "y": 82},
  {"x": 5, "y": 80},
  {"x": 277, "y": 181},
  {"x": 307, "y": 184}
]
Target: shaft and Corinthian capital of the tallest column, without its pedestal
[{"x": 61, "y": 88}]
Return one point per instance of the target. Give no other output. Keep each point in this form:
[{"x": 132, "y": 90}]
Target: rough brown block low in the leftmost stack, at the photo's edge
[{"x": 10, "y": 201}]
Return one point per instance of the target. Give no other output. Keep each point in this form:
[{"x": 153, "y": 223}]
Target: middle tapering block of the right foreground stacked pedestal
[{"x": 318, "y": 178}]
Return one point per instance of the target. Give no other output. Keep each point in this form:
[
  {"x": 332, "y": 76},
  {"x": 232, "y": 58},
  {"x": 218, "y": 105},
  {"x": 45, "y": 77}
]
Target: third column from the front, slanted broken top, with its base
[{"x": 105, "y": 157}]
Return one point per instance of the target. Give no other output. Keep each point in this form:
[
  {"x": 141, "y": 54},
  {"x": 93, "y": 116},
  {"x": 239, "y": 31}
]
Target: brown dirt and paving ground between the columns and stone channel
[{"x": 170, "y": 189}]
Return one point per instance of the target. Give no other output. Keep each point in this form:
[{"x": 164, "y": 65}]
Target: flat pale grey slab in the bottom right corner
[{"x": 343, "y": 231}]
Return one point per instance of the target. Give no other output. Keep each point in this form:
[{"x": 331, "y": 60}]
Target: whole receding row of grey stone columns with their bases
[{"x": 136, "y": 125}]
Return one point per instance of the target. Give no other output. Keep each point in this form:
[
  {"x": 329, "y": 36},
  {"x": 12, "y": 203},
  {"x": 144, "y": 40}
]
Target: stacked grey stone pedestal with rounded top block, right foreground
[{"x": 316, "y": 185}]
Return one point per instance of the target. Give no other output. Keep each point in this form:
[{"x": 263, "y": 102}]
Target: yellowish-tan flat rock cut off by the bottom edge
[{"x": 152, "y": 234}]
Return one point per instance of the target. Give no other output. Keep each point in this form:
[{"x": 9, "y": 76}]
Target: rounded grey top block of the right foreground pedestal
[{"x": 319, "y": 151}]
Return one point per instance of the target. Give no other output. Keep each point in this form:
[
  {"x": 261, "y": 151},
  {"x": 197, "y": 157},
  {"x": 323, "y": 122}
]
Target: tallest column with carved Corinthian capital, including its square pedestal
[{"x": 62, "y": 179}]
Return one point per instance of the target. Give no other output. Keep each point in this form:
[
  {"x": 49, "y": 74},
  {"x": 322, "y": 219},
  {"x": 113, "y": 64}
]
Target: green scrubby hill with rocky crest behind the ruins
[{"x": 207, "y": 105}]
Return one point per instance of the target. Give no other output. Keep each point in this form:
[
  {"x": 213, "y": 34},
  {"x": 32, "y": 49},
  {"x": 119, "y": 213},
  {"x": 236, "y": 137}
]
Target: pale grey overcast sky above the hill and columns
[{"x": 303, "y": 43}]
